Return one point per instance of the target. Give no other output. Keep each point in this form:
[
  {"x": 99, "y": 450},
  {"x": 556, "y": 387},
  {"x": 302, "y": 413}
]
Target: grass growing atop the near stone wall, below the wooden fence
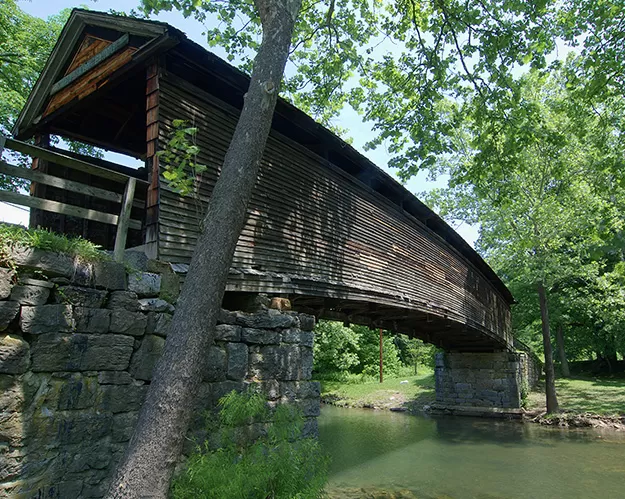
[{"x": 14, "y": 235}]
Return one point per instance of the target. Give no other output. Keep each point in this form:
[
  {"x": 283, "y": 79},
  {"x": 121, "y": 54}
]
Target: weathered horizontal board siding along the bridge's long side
[{"x": 315, "y": 230}]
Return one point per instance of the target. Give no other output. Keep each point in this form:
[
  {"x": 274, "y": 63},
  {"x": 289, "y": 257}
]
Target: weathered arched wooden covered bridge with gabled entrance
[{"x": 326, "y": 227}]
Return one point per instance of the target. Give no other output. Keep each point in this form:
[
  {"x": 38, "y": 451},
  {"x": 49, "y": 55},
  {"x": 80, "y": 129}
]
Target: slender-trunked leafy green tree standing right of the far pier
[{"x": 540, "y": 177}]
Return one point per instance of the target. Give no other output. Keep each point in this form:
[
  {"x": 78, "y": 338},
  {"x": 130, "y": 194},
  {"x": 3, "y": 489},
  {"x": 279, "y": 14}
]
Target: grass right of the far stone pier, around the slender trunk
[{"x": 601, "y": 396}]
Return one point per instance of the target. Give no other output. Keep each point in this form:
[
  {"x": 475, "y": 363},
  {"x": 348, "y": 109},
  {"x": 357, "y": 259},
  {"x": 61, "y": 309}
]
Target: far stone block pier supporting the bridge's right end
[{"x": 476, "y": 383}]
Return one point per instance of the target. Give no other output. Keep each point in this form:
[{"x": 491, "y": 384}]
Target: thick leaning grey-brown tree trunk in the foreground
[{"x": 146, "y": 468}]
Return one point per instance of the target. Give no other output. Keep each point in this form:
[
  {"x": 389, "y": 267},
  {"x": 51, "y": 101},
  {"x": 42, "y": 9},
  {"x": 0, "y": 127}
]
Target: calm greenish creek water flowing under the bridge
[{"x": 380, "y": 454}]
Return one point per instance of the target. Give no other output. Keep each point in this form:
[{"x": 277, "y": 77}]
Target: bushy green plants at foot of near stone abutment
[{"x": 280, "y": 465}]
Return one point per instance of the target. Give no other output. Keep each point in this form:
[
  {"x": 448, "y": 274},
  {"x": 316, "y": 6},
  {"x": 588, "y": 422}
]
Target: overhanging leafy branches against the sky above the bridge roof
[{"x": 395, "y": 62}]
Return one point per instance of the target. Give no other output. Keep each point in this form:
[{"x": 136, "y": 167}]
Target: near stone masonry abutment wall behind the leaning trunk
[{"x": 78, "y": 344}]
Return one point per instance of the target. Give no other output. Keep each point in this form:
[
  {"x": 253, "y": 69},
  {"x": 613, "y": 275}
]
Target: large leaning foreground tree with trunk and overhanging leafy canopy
[{"x": 403, "y": 89}]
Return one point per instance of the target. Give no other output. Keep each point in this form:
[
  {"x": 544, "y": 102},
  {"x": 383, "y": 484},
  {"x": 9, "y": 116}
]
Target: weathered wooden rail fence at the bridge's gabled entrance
[{"x": 122, "y": 219}]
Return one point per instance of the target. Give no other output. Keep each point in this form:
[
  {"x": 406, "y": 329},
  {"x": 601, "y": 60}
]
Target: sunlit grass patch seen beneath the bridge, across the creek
[{"x": 354, "y": 392}]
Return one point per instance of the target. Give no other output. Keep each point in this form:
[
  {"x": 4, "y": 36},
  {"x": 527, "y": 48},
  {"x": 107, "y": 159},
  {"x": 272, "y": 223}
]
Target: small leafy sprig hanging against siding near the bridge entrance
[{"x": 179, "y": 155}]
